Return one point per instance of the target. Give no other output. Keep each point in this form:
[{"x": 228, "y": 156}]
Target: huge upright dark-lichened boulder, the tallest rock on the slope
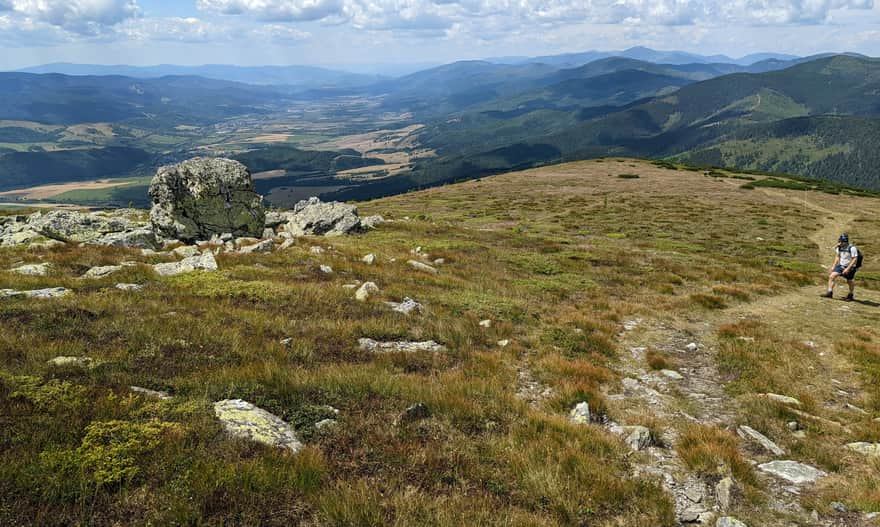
[{"x": 201, "y": 197}]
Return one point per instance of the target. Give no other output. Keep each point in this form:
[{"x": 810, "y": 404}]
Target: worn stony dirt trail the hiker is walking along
[{"x": 698, "y": 396}]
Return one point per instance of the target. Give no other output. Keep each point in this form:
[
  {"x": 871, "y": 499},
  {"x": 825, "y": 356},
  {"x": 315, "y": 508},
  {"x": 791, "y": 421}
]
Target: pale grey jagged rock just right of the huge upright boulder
[{"x": 313, "y": 217}]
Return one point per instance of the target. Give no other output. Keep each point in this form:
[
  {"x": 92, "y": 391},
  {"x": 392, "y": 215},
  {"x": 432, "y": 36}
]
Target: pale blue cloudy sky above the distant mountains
[{"x": 359, "y": 32}]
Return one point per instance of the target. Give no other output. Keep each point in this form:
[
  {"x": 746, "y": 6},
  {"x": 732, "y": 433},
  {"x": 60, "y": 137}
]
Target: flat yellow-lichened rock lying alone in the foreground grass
[{"x": 243, "y": 420}]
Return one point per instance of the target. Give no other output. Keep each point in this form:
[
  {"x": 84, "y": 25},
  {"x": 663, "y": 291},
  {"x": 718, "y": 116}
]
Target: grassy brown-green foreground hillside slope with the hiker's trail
[{"x": 664, "y": 299}]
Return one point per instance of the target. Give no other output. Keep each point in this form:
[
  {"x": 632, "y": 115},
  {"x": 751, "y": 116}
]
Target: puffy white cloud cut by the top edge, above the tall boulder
[{"x": 276, "y": 10}]
